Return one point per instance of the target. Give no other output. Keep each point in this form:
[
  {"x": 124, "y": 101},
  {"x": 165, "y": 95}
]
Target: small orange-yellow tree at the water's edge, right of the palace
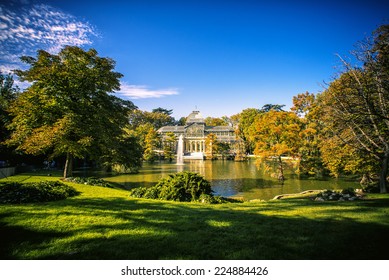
[{"x": 276, "y": 134}]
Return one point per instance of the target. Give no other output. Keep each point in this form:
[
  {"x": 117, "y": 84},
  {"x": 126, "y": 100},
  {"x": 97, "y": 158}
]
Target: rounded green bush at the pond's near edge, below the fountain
[{"x": 182, "y": 186}]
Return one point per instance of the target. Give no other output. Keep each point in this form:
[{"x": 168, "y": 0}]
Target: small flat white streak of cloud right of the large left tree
[{"x": 140, "y": 92}]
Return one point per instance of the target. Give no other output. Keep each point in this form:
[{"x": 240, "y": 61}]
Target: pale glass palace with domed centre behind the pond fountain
[{"x": 195, "y": 132}]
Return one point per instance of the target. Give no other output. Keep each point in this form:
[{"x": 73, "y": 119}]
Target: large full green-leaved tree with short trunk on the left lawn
[{"x": 68, "y": 110}]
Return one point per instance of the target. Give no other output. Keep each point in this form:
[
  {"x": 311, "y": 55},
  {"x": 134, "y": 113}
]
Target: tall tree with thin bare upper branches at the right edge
[{"x": 356, "y": 104}]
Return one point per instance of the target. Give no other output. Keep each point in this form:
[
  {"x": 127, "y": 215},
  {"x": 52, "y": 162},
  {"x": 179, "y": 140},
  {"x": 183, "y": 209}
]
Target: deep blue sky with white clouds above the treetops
[{"x": 217, "y": 56}]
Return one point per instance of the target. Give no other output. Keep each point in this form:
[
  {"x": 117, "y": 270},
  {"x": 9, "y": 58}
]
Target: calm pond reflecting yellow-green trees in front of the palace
[{"x": 232, "y": 179}]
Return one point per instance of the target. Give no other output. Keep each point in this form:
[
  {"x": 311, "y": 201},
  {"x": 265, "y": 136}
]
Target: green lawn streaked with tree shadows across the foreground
[{"x": 105, "y": 223}]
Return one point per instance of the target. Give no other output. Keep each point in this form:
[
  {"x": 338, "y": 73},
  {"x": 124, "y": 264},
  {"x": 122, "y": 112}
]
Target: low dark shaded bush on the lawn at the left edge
[{"x": 16, "y": 193}]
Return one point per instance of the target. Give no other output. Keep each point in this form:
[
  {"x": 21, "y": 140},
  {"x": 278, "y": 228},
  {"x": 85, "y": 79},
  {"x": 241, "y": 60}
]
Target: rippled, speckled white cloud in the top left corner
[{"x": 28, "y": 28}]
